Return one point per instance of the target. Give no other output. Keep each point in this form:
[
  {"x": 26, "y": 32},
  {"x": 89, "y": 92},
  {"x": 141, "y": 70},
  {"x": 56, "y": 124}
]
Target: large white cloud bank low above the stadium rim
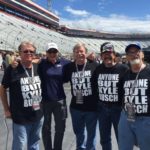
[{"x": 113, "y": 23}]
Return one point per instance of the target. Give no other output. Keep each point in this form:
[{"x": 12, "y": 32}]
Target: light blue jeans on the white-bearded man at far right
[{"x": 134, "y": 132}]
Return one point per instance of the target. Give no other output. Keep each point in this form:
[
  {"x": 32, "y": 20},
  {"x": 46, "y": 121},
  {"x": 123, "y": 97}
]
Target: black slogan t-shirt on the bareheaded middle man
[{"x": 81, "y": 80}]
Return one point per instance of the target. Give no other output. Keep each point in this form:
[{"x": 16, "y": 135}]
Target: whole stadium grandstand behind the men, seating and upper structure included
[{"x": 22, "y": 20}]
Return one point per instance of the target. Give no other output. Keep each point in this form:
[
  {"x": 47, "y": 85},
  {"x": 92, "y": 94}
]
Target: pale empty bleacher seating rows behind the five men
[{"x": 14, "y": 30}]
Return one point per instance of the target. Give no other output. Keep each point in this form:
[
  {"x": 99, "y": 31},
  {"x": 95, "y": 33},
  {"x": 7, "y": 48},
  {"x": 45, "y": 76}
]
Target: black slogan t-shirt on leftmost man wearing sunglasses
[{"x": 24, "y": 93}]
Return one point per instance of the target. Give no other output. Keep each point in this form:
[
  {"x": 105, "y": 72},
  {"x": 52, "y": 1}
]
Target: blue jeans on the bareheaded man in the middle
[{"x": 82, "y": 121}]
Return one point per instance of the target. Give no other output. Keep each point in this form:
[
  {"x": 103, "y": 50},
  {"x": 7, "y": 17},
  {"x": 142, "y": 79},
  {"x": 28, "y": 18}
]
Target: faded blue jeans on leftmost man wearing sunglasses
[{"x": 29, "y": 133}]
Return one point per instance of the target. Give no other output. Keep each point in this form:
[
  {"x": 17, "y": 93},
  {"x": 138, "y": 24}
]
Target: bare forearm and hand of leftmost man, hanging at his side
[{"x": 3, "y": 95}]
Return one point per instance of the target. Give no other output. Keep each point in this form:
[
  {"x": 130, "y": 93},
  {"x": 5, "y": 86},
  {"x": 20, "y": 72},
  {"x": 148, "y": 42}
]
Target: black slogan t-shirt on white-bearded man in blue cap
[{"x": 137, "y": 93}]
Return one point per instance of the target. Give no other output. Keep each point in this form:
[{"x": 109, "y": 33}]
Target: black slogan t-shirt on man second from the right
[{"x": 105, "y": 83}]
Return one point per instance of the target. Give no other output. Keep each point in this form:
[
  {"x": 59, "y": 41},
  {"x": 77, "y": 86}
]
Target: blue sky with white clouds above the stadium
[{"x": 119, "y": 16}]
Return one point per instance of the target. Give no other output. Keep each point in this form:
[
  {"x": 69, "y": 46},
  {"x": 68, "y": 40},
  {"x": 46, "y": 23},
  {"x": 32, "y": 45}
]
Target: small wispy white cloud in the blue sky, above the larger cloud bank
[{"x": 81, "y": 13}]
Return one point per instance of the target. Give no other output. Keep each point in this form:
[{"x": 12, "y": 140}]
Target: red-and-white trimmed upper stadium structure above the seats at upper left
[{"x": 29, "y": 10}]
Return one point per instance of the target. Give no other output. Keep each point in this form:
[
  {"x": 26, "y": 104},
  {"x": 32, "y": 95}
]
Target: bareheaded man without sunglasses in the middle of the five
[{"x": 83, "y": 104}]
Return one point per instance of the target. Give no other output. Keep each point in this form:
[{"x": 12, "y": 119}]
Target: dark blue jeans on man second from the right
[{"x": 108, "y": 116}]
